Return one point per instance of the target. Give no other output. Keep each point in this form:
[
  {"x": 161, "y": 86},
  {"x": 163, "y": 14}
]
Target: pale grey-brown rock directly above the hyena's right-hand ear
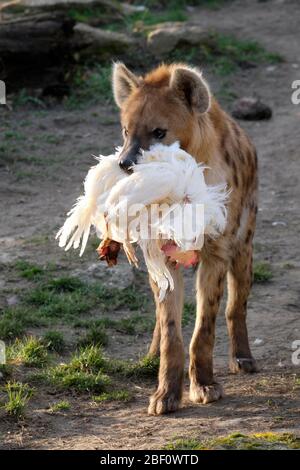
[{"x": 166, "y": 37}]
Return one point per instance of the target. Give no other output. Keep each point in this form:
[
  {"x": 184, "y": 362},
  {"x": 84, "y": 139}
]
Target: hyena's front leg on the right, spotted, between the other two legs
[{"x": 210, "y": 284}]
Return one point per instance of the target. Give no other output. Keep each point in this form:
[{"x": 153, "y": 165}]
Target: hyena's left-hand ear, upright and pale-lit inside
[{"x": 123, "y": 82}]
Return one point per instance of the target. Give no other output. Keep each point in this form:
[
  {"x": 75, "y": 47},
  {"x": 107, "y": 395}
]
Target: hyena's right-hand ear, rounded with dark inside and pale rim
[{"x": 192, "y": 88}]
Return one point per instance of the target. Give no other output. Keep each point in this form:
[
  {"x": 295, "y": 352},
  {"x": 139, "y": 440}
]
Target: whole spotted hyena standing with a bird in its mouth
[{"x": 174, "y": 103}]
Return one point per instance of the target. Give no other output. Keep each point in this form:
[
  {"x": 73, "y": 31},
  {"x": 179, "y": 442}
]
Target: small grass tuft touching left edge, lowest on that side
[{"x": 18, "y": 395}]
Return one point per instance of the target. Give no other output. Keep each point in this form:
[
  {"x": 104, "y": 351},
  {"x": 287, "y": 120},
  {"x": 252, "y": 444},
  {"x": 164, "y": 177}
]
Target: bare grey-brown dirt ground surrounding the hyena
[{"x": 33, "y": 206}]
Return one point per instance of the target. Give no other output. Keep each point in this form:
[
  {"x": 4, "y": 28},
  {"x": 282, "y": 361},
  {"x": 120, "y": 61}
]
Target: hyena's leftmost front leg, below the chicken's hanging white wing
[{"x": 170, "y": 379}]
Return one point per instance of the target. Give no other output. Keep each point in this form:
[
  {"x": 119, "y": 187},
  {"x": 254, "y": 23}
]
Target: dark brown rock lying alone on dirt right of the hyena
[{"x": 251, "y": 109}]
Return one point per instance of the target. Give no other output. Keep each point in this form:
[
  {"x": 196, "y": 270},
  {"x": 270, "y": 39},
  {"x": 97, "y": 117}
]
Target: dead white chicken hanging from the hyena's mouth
[{"x": 166, "y": 178}]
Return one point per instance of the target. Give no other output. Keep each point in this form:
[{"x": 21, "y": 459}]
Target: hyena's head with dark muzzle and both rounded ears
[{"x": 163, "y": 106}]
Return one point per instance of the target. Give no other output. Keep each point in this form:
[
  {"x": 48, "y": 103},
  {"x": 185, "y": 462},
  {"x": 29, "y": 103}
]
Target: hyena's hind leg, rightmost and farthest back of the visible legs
[{"x": 239, "y": 285}]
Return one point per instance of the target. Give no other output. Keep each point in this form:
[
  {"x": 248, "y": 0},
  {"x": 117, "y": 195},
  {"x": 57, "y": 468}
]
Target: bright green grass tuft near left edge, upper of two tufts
[{"x": 30, "y": 352}]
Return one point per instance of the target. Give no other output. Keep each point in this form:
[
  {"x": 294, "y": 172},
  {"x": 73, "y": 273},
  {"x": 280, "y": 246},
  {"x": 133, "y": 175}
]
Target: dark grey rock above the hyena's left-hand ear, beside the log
[{"x": 99, "y": 41}]
